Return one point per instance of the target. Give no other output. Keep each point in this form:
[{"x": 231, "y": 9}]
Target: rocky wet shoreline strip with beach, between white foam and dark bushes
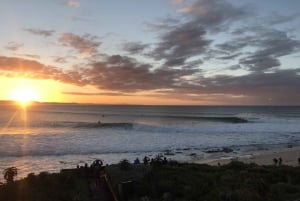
[{"x": 259, "y": 154}]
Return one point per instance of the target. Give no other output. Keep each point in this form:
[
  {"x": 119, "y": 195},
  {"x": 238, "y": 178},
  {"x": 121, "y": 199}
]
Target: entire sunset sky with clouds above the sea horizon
[{"x": 231, "y": 52}]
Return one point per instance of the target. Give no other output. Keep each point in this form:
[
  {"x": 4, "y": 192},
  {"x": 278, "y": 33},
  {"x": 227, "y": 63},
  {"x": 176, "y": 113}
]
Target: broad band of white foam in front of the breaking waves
[{"x": 145, "y": 138}]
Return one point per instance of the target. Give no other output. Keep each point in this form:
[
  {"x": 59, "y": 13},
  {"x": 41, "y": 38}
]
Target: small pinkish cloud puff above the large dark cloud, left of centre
[{"x": 85, "y": 44}]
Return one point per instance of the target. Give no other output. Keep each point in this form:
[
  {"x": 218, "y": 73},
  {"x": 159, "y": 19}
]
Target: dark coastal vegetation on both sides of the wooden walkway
[{"x": 235, "y": 181}]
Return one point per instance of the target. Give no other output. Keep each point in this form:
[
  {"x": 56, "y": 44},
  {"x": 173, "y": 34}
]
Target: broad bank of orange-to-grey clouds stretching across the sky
[{"x": 183, "y": 62}]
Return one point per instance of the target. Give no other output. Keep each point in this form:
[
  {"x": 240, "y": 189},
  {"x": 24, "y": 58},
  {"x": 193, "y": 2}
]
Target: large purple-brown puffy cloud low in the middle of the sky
[{"x": 125, "y": 74}]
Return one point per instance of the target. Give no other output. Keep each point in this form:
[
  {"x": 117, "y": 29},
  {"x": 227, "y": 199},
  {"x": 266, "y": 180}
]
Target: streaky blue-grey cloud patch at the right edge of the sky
[{"x": 268, "y": 44}]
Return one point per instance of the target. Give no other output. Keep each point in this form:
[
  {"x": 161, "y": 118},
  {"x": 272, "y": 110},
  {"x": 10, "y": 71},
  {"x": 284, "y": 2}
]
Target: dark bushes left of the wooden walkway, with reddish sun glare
[{"x": 46, "y": 187}]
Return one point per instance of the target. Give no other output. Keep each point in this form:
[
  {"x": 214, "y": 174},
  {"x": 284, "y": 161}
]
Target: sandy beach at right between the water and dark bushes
[{"x": 262, "y": 157}]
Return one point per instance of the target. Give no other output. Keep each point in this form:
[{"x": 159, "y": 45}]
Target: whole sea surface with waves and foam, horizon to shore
[{"x": 49, "y": 137}]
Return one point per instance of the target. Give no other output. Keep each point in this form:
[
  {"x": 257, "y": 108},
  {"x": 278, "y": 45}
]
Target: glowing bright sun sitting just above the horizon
[{"x": 24, "y": 95}]
